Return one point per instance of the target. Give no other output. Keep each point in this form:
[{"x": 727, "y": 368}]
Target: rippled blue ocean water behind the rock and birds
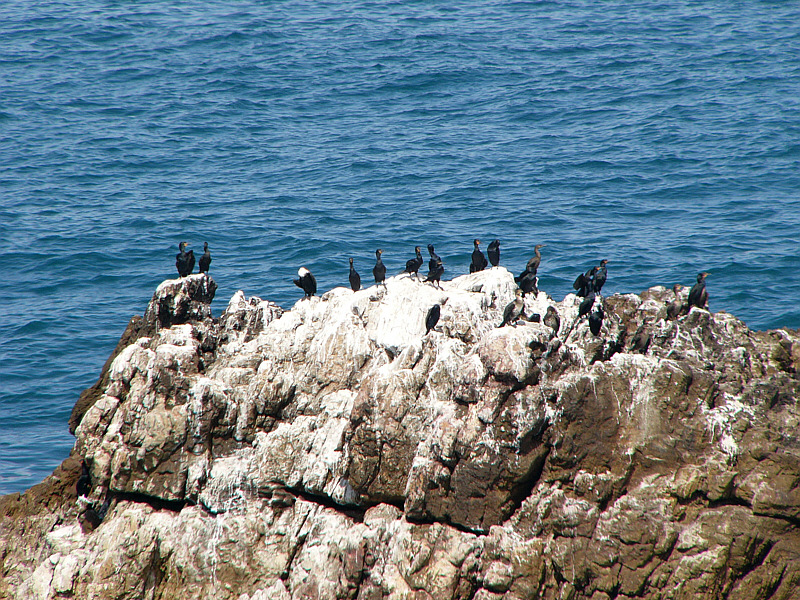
[{"x": 664, "y": 137}]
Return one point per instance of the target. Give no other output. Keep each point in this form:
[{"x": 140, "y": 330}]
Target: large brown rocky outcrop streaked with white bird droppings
[{"x": 337, "y": 451}]
